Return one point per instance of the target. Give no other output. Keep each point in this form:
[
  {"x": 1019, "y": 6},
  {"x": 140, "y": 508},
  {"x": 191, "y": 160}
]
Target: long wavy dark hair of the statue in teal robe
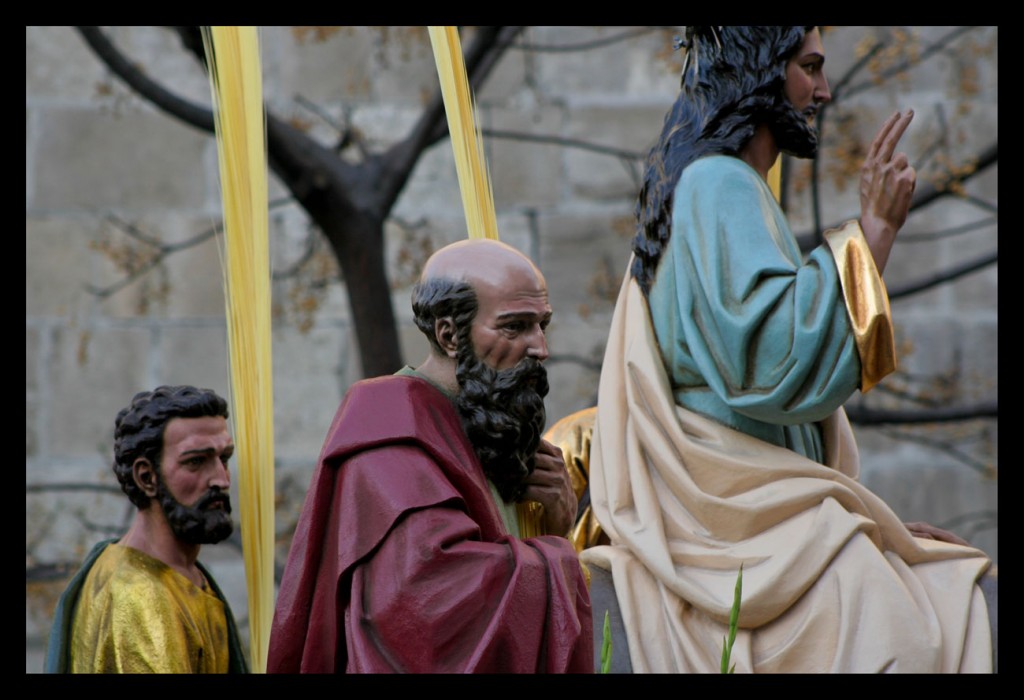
[{"x": 733, "y": 81}]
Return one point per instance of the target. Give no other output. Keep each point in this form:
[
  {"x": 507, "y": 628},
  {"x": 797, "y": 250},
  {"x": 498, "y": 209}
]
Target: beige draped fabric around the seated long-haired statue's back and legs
[{"x": 833, "y": 582}]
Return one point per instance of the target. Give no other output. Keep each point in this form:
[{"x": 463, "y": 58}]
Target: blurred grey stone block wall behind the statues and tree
[{"x": 97, "y": 155}]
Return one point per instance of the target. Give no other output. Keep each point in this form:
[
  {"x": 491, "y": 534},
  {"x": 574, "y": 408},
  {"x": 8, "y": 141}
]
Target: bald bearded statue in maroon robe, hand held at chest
[{"x": 406, "y": 558}]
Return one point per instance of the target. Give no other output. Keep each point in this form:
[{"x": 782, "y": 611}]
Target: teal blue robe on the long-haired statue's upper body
[{"x": 752, "y": 336}]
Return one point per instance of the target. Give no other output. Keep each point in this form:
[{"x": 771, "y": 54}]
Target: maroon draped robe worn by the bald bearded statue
[{"x": 401, "y": 561}]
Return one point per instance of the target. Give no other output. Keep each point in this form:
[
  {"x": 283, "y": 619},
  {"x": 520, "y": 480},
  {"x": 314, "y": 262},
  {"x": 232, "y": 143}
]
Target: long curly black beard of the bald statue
[{"x": 503, "y": 415}]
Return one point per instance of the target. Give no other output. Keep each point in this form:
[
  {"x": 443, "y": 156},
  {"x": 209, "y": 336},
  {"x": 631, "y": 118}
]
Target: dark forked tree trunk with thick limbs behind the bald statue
[{"x": 349, "y": 202}]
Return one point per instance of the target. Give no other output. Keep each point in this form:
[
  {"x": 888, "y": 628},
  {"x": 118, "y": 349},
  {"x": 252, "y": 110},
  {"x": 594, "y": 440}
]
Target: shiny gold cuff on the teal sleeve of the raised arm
[{"x": 867, "y": 302}]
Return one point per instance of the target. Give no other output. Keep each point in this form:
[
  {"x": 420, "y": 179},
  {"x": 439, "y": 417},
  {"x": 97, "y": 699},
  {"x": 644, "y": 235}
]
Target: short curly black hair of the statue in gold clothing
[{"x": 139, "y": 429}]
